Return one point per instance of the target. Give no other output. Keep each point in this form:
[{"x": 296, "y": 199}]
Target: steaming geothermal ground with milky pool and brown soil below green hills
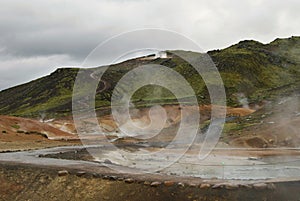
[{"x": 45, "y": 159}]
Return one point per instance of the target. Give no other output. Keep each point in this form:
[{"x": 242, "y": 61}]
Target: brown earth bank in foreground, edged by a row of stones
[{"x": 35, "y": 183}]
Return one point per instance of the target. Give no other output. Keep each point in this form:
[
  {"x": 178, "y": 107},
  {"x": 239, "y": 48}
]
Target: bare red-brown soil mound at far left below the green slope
[{"x": 20, "y": 133}]
